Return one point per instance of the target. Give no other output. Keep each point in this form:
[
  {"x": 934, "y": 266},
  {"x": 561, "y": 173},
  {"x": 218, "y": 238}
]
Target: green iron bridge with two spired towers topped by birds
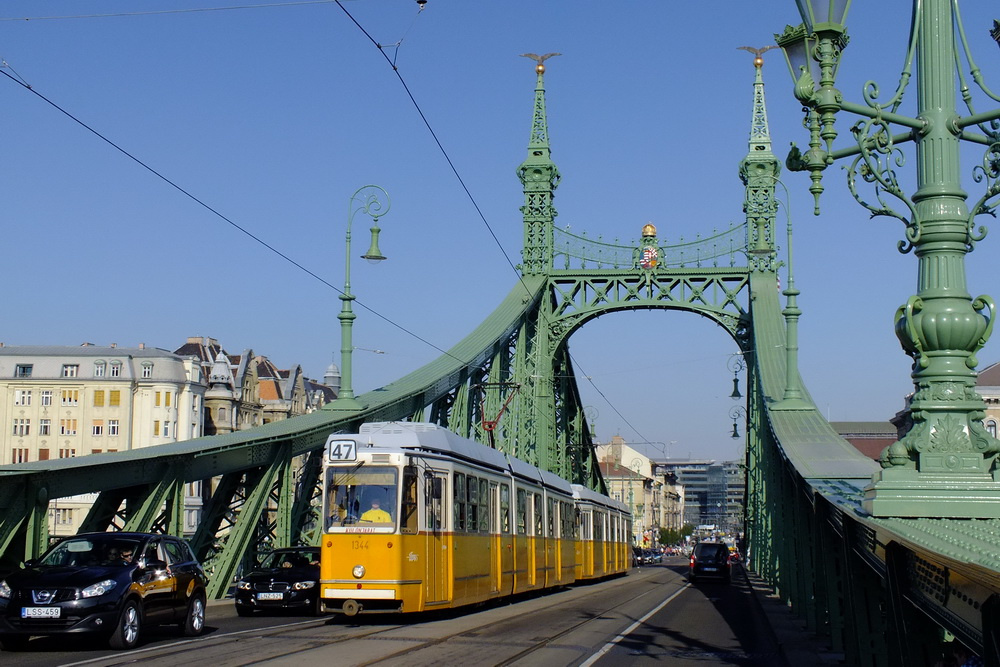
[{"x": 888, "y": 558}]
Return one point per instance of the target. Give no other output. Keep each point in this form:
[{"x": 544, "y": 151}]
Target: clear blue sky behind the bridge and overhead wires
[{"x": 274, "y": 115}]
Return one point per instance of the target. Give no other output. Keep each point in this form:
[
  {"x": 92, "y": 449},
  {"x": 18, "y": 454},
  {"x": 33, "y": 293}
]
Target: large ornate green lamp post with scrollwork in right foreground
[{"x": 946, "y": 465}]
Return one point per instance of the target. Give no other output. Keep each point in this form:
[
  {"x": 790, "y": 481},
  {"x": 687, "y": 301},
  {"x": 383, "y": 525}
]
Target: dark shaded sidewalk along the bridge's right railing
[{"x": 798, "y": 645}]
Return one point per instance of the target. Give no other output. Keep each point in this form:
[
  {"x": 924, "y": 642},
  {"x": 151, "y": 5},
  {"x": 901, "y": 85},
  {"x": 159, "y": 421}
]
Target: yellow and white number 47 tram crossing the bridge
[{"x": 417, "y": 518}]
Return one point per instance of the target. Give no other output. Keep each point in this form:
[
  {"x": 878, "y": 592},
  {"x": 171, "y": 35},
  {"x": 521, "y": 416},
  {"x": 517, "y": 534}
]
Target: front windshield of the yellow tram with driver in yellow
[{"x": 361, "y": 496}]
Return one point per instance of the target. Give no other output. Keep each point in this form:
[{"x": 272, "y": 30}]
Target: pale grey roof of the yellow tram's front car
[{"x": 435, "y": 438}]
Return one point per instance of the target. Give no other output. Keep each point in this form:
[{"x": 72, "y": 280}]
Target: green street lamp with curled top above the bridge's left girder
[{"x": 374, "y": 202}]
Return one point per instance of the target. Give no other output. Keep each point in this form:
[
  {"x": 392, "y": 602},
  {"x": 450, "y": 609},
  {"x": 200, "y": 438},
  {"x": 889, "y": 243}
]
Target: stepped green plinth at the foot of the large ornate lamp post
[{"x": 908, "y": 493}]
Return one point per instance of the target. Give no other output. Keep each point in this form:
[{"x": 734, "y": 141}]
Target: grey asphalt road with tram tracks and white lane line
[{"x": 651, "y": 615}]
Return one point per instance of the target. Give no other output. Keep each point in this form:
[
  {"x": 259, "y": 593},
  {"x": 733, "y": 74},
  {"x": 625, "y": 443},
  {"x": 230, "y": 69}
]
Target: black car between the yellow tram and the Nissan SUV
[{"x": 287, "y": 578}]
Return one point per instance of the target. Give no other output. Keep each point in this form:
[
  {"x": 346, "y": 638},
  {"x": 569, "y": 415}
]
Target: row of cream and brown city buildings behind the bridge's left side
[{"x": 67, "y": 401}]
